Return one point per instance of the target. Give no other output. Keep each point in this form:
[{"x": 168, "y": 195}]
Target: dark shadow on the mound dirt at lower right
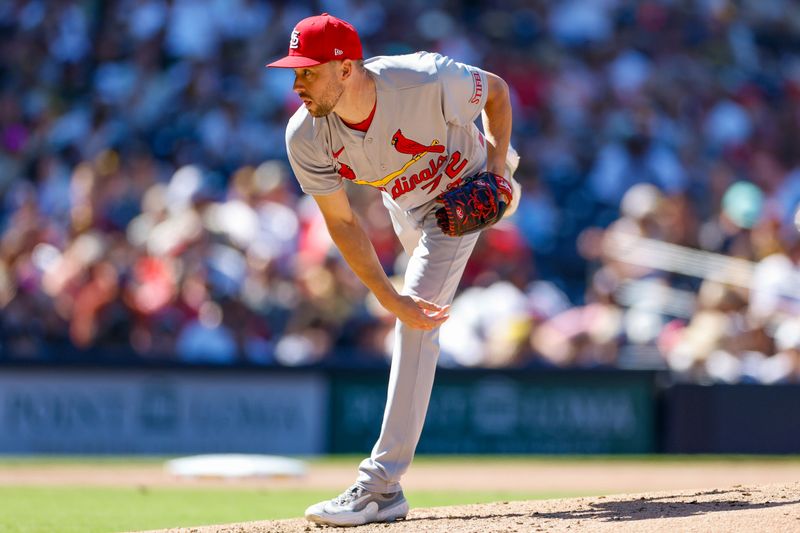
[{"x": 667, "y": 506}]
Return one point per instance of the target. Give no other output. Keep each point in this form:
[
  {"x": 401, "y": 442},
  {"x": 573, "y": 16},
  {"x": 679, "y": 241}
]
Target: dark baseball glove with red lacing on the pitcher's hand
[{"x": 478, "y": 203}]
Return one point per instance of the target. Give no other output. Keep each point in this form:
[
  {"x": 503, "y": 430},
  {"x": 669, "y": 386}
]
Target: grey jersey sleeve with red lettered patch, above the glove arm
[{"x": 464, "y": 90}]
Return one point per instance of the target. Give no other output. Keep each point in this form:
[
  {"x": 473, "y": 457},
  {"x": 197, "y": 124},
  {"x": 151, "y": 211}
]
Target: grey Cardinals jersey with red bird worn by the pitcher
[{"x": 422, "y": 139}]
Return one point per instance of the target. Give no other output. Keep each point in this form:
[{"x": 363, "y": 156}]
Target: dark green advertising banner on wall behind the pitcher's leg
[{"x": 509, "y": 412}]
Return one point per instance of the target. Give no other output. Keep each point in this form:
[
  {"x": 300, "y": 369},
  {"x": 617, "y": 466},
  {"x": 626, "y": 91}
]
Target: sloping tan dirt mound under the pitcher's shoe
[{"x": 767, "y": 508}]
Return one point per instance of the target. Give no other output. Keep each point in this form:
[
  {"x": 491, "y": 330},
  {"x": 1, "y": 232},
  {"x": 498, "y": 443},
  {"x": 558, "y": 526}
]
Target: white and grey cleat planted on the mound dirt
[{"x": 356, "y": 506}]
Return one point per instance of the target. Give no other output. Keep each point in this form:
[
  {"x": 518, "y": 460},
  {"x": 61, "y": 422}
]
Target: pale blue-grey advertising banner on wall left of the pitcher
[{"x": 165, "y": 412}]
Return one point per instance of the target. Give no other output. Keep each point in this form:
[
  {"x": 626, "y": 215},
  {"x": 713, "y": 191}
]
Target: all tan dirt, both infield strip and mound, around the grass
[{"x": 651, "y": 496}]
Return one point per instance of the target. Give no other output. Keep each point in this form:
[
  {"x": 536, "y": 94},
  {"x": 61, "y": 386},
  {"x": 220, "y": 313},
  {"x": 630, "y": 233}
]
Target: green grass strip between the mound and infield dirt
[{"x": 101, "y": 510}]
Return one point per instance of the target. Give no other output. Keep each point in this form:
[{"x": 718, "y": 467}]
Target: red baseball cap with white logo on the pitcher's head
[{"x": 319, "y": 39}]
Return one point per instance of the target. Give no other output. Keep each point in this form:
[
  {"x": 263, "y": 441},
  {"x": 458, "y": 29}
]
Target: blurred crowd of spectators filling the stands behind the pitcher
[{"x": 147, "y": 210}]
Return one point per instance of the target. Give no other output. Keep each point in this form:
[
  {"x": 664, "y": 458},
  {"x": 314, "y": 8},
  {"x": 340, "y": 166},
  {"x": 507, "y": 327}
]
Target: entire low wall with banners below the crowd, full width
[{"x": 179, "y": 410}]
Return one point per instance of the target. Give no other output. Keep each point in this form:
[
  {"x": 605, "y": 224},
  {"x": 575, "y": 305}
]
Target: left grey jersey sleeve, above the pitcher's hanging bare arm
[{"x": 311, "y": 166}]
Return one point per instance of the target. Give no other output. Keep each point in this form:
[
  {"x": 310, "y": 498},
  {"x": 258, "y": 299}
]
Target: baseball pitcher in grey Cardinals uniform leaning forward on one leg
[{"x": 405, "y": 125}]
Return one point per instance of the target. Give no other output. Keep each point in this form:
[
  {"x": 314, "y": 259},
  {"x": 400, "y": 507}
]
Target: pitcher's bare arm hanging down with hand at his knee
[{"x": 356, "y": 248}]
